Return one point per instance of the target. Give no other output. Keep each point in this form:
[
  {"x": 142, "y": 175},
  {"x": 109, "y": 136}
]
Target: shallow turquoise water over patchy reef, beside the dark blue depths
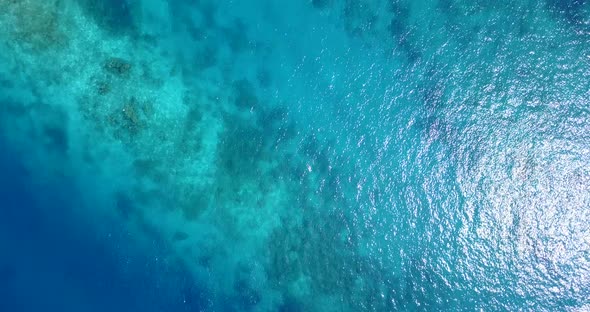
[{"x": 224, "y": 134}]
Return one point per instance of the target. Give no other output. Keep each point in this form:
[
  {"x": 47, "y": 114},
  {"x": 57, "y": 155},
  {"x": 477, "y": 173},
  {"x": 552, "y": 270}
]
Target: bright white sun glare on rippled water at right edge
[{"x": 532, "y": 192}]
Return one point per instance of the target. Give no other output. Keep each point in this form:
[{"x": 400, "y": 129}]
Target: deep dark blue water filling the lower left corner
[{"x": 50, "y": 263}]
